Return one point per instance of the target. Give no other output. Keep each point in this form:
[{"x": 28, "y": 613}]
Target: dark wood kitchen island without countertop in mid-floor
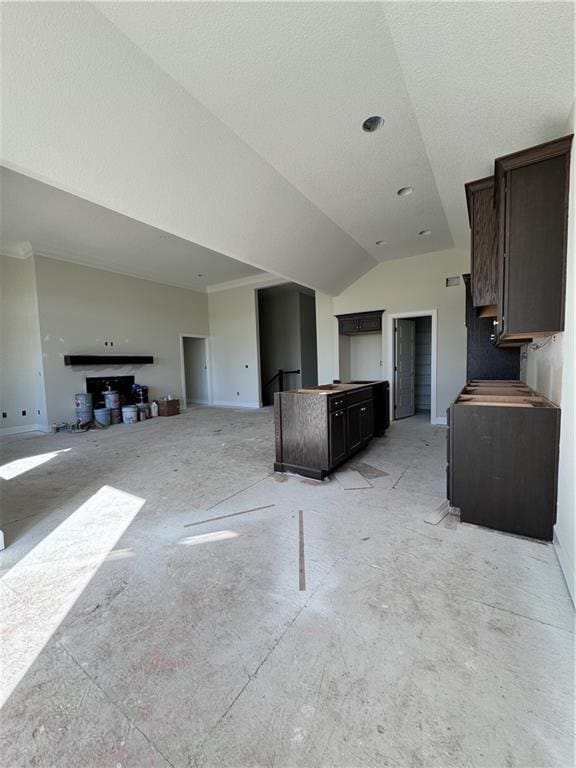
[{"x": 318, "y": 428}]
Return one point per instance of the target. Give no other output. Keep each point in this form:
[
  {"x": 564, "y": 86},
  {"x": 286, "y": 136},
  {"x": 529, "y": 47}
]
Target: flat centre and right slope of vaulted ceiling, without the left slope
[{"x": 457, "y": 83}]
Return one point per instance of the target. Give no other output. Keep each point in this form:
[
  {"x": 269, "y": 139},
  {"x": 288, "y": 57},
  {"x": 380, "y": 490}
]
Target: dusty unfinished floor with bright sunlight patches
[{"x": 136, "y": 639}]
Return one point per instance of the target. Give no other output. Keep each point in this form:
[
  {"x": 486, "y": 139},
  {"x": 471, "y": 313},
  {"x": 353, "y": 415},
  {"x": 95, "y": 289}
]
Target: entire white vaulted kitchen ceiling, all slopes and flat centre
[{"x": 271, "y": 166}]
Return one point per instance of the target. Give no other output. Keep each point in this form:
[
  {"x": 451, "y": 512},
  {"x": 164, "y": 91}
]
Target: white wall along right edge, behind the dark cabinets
[{"x": 550, "y": 369}]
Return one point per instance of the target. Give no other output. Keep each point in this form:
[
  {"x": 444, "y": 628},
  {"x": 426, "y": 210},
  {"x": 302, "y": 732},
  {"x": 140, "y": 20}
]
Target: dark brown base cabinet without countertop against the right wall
[{"x": 503, "y": 457}]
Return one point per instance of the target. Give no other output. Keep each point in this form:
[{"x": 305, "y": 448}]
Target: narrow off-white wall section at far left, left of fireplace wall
[{"x": 21, "y": 370}]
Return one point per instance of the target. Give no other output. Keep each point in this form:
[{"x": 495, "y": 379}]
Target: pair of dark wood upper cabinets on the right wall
[{"x": 518, "y": 221}]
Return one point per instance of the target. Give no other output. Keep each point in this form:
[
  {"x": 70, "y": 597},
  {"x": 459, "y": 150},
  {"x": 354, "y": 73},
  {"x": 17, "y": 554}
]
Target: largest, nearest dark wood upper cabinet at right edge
[{"x": 531, "y": 192}]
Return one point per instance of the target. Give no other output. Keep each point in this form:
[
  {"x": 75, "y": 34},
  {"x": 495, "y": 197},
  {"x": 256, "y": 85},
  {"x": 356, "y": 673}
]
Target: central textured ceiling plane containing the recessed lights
[{"x": 295, "y": 81}]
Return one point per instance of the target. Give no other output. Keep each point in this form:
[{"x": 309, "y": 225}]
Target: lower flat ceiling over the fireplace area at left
[{"x": 66, "y": 227}]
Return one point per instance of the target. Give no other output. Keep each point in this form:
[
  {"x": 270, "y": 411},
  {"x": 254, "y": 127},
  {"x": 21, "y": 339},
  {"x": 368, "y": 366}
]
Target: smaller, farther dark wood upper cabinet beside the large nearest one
[{"x": 484, "y": 241}]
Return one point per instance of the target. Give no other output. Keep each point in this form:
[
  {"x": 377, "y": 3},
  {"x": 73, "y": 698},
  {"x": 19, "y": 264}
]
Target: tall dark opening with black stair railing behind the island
[{"x": 287, "y": 331}]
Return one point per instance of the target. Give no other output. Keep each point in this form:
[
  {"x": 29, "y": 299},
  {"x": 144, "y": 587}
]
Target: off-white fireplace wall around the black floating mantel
[{"x": 80, "y": 308}]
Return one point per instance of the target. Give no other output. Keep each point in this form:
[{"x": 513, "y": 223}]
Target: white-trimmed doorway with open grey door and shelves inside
[{"x": 412, "y": 354}]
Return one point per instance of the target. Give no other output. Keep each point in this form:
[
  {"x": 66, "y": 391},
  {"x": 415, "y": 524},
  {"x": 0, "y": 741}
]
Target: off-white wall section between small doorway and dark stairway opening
[{"x": 234, "y": 347}]
